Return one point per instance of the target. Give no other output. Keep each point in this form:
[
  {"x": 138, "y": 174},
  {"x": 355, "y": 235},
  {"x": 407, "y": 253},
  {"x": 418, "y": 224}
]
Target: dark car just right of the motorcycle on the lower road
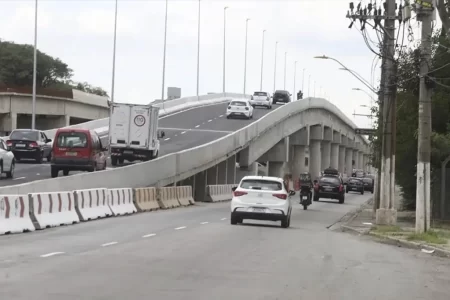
[{"x": 329, "y": 187}]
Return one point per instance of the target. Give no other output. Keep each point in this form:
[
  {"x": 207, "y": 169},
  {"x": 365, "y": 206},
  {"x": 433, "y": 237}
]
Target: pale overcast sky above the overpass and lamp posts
[{"x": 80, "y": 32}]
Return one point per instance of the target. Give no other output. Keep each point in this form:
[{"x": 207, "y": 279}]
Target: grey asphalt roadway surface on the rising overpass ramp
[{"x": 183, "y": 130}]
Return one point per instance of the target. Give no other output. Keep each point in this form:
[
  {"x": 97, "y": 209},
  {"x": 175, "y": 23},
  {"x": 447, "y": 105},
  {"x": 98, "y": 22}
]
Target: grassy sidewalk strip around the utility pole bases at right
[{"x": 436, "y": 241}]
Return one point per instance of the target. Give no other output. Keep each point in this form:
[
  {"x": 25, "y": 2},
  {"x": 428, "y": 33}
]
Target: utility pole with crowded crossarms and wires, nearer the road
[{"x": 385, "y": 209}]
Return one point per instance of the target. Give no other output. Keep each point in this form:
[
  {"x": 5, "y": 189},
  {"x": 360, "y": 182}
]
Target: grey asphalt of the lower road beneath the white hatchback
[{"x": 194, "y": 253}]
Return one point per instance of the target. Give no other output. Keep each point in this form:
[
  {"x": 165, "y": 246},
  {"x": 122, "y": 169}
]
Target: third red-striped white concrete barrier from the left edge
[{"x": 92, "y": 204}]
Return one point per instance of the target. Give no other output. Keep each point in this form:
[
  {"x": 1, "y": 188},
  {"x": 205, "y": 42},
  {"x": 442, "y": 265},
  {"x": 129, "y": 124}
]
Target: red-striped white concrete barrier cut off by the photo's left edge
[{"x": 15, "y": 214}]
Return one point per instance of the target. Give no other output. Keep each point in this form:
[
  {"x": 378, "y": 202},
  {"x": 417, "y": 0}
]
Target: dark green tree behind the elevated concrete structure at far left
[{"x": 16, "y": 61}]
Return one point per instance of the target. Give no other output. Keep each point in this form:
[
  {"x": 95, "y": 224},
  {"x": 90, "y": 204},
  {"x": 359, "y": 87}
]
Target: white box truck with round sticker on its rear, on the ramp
[{"x": 133, "y": 133}]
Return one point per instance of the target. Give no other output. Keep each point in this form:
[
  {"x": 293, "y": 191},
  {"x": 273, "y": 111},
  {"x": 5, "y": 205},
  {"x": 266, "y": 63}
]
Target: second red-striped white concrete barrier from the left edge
[{"x": 53, "y": 209}]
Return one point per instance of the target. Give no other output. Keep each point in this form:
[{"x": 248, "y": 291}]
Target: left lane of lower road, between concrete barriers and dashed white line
[{"x": 79, "y": 238}]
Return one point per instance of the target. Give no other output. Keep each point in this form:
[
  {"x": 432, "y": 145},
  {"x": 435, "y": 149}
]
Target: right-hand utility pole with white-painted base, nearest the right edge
[{"x": 424, "y": 12}]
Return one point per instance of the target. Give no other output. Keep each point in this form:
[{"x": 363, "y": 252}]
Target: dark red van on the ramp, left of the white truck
[{"x": 77, "y": 150}]
